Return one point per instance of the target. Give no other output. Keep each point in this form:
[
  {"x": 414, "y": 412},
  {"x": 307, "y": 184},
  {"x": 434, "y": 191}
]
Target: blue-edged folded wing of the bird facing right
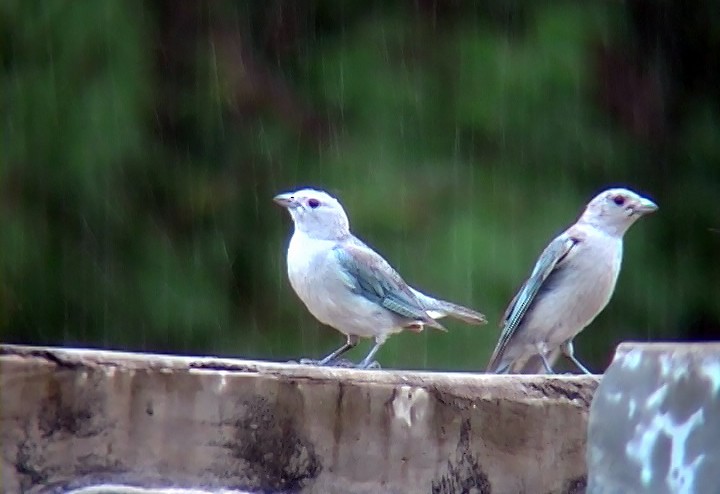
[{"x": 552, "y": 257}]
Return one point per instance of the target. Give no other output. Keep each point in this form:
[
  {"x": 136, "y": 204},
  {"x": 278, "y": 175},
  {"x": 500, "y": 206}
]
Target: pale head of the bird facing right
[{"x": 614, "y": 210}]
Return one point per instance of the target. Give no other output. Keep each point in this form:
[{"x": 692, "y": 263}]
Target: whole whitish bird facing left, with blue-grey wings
[{"x": 347, "y": 285}]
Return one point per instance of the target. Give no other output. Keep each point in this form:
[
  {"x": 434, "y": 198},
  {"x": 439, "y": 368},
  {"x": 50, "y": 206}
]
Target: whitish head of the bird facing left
[{"x": 315, "y": 213}]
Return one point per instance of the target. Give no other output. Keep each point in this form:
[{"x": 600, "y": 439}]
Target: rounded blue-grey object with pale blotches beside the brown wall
[{"x": 655, "y": 421}]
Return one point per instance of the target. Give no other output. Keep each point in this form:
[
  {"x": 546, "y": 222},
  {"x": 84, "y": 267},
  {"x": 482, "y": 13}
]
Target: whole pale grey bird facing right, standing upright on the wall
[{"x": 570, "y": 284}]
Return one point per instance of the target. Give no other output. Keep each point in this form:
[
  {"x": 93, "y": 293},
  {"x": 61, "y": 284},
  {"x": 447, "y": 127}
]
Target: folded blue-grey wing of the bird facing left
[{"x": 368, "y": 274}]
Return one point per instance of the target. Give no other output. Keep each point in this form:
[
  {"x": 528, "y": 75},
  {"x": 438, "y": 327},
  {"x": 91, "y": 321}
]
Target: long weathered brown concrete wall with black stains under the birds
[{"x": 71, "y": 418}]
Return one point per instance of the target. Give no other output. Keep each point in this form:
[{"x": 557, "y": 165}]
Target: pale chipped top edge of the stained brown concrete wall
[{"x": 460, "y": 384}]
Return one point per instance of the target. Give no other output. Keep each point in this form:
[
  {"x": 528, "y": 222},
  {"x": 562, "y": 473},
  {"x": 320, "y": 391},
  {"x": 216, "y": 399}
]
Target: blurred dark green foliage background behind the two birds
[{"x": 143, "y": 141}]
